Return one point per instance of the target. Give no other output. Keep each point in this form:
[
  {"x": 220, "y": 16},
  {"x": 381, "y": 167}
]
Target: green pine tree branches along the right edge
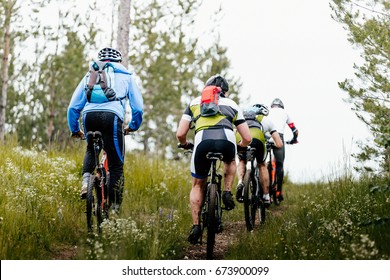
[{"x": 368, "y": 23}]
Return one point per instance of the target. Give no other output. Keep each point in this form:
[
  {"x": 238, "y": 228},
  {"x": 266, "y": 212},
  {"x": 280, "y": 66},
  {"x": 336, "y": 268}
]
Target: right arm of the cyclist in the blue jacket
[{"x": 136, "y": 105}]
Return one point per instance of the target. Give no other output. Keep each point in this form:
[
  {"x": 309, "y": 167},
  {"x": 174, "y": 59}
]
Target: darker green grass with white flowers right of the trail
[{"x": 342, "y": 219}]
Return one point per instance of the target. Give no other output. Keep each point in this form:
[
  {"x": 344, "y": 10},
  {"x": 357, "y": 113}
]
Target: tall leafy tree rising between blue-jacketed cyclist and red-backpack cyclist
[{"x": 171, "y": 66}]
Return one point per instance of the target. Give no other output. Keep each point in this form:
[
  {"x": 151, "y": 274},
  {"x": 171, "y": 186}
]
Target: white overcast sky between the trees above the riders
[{"x": 294, "y": 50}]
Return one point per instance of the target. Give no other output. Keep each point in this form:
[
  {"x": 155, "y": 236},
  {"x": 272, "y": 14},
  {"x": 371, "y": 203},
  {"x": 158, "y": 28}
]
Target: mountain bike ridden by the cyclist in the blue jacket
[{"x": 97, "y": 189}]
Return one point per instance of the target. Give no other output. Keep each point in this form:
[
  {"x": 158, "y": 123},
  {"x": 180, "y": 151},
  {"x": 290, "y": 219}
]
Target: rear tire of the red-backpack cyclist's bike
[{"x": 211, "y": 220}]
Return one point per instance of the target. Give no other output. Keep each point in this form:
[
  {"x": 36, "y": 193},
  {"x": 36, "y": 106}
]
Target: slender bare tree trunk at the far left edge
[{"x": 8, "y": 8}]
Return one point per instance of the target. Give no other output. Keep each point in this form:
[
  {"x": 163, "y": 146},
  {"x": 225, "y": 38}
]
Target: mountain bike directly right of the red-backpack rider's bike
[{"x": 252, "y": 191}]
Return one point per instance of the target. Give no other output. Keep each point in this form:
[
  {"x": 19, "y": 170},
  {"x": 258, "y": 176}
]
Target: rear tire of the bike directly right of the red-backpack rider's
[{"x": 249, "y": 203}]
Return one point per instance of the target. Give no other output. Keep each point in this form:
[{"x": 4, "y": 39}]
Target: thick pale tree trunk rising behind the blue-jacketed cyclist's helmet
[{"x": 124, "y": 30}]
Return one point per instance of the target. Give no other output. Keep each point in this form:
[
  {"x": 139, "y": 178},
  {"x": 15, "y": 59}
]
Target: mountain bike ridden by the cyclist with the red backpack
[{"x": 211, "y": 210}]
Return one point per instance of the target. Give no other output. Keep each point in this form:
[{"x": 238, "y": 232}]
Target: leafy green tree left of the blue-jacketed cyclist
[{"x": 45, "y": 84}]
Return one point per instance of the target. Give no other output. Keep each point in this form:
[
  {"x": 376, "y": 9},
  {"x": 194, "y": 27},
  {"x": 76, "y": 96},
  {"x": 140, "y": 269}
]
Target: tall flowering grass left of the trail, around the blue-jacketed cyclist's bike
[{"x": 42, "y": 216}]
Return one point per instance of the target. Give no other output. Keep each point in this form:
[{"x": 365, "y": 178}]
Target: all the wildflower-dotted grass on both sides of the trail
[{"x": 42, "y": 217}]
